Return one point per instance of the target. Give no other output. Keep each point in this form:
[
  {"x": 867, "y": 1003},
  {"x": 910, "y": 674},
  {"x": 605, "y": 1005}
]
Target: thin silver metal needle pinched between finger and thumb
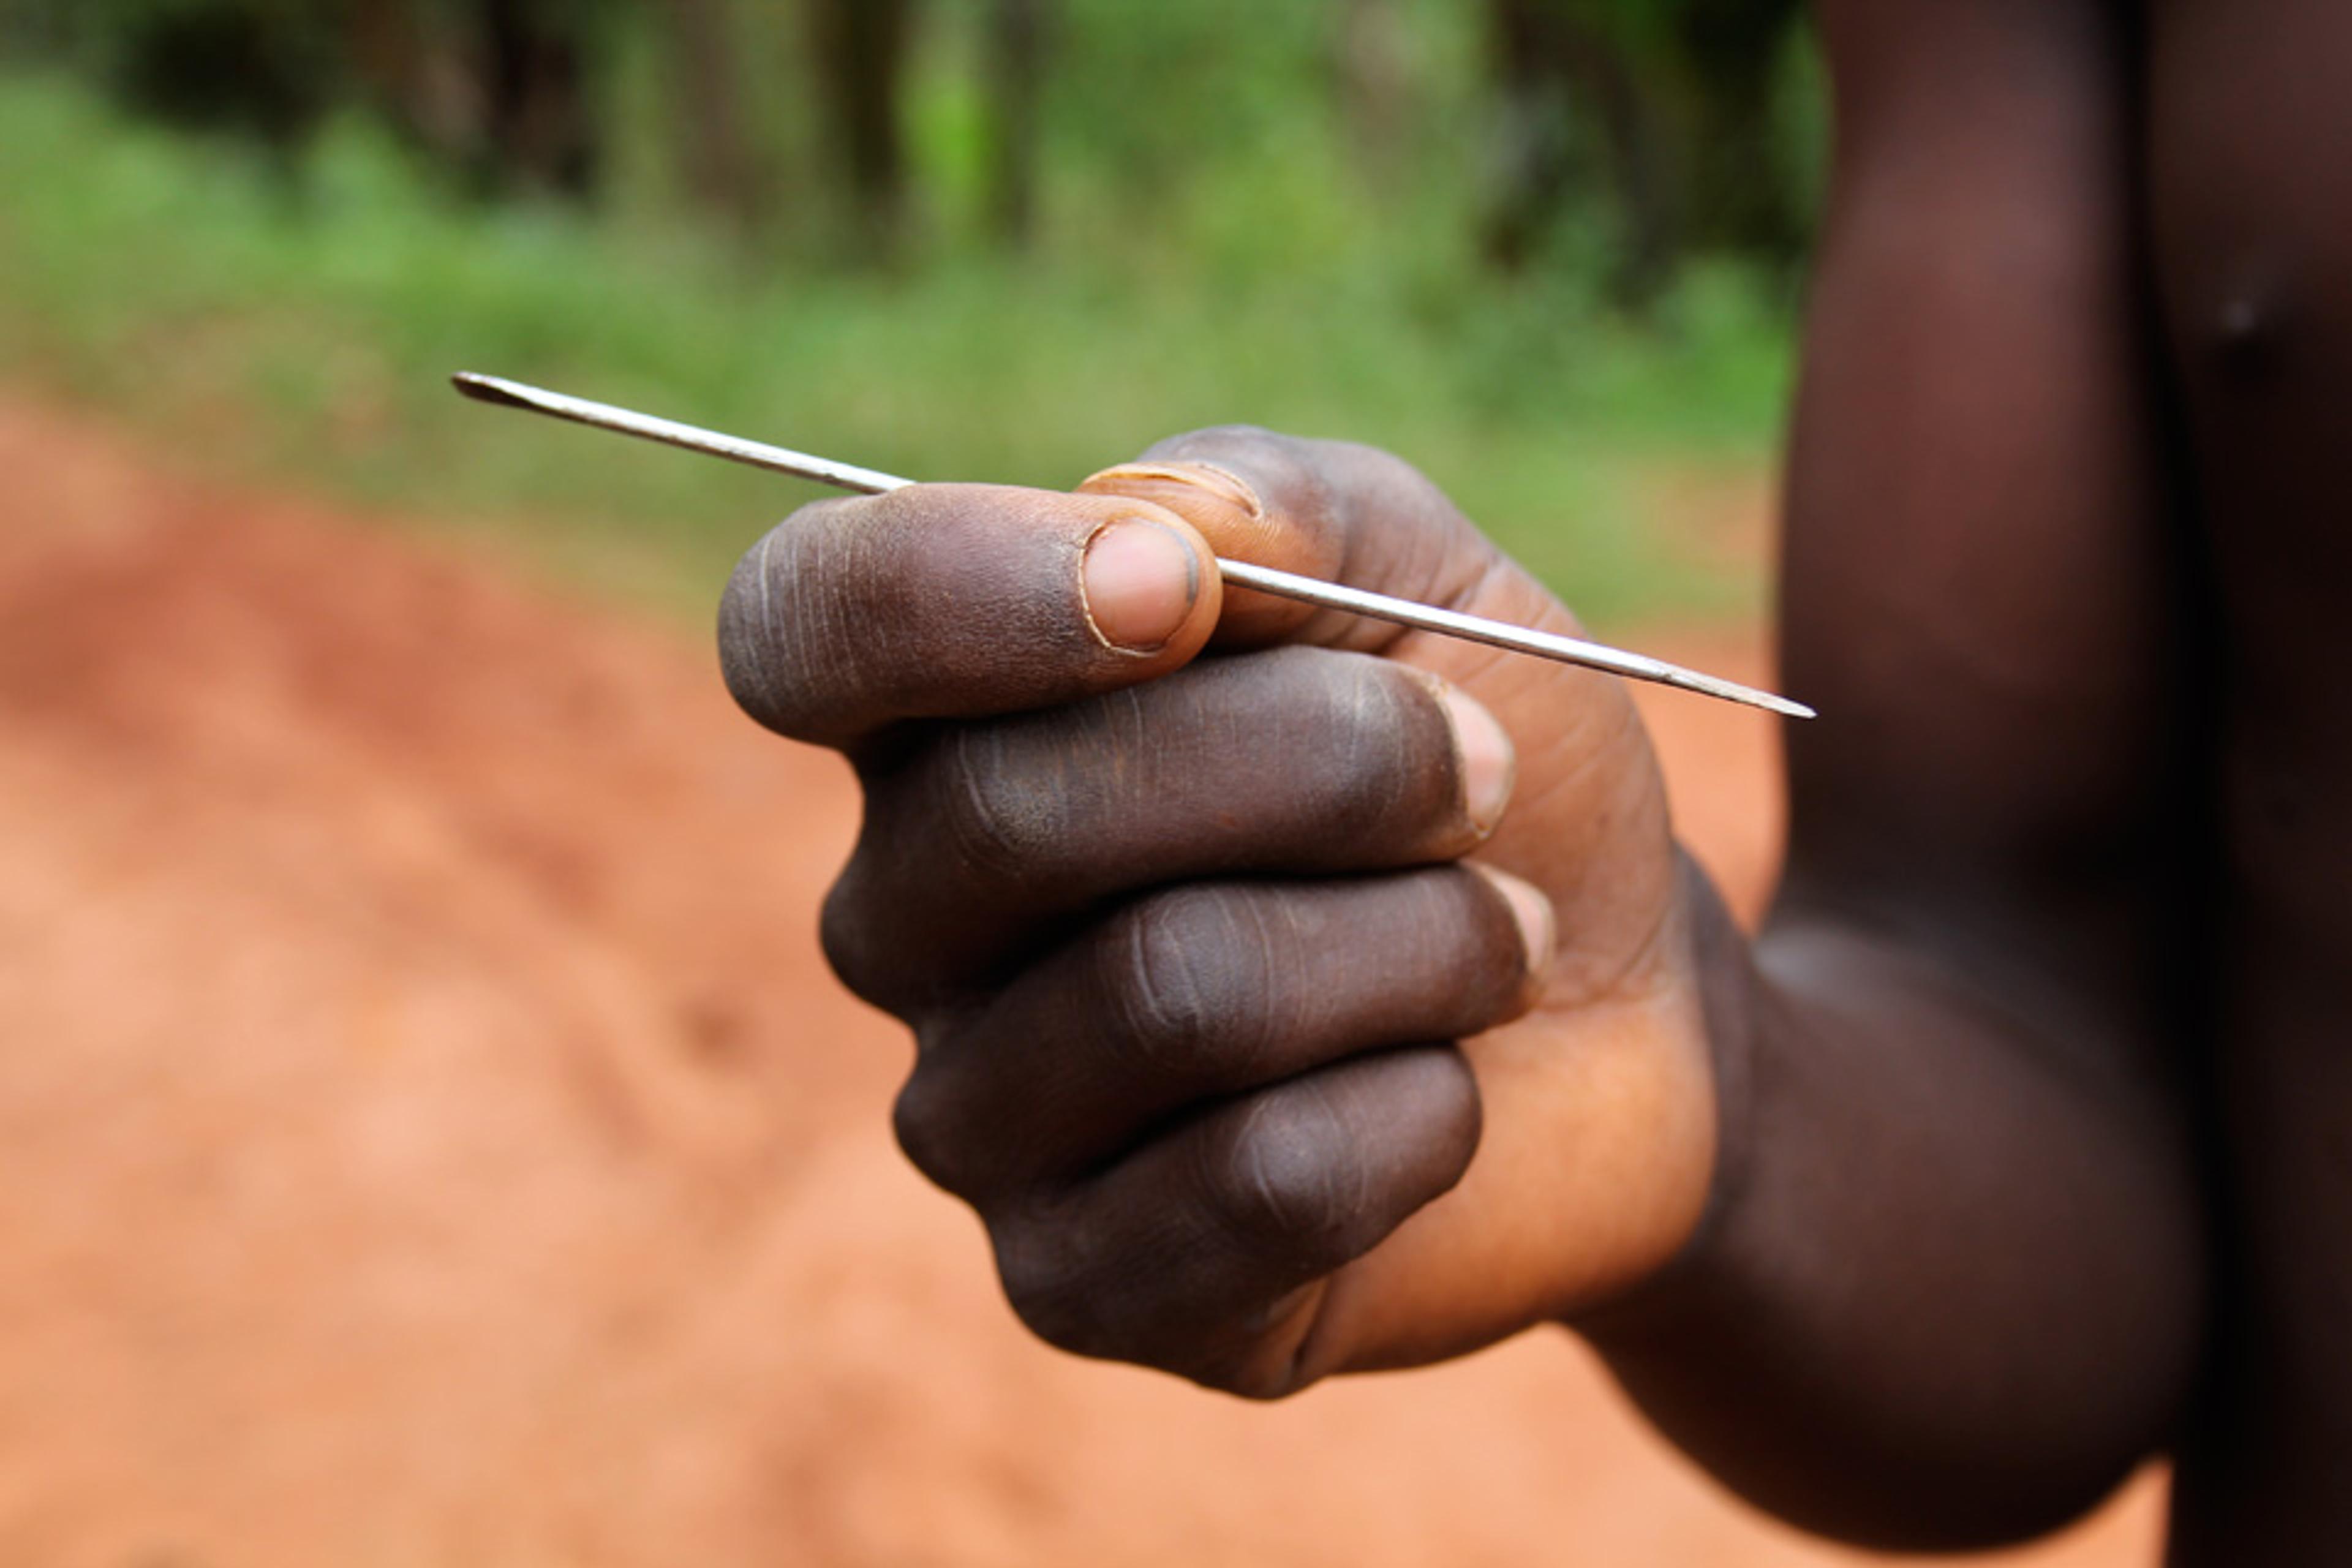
[{"x": 1264, "y": 579}]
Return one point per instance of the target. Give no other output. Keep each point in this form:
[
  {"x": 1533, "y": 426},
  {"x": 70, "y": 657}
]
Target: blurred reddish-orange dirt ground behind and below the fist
[{"x": 429, "y": 1134}]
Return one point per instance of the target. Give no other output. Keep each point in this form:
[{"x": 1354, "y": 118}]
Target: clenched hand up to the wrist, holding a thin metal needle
[{"x": 1175, "y": 890}]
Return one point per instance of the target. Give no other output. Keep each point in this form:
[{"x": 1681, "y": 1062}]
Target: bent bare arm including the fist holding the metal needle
[{"x": 1271, "y": 1045}]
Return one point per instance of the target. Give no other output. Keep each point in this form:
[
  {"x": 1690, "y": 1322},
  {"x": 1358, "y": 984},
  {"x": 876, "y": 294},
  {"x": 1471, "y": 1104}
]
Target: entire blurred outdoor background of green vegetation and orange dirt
[{"x": 427, "y": 1130}]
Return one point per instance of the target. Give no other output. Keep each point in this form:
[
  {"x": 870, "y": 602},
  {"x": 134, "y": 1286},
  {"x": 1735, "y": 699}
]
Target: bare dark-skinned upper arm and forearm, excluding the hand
[{"x": 1951, "y": 1287}]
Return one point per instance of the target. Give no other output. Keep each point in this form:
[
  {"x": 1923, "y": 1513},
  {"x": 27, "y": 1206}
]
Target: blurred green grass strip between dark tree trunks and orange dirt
[{"x": 307, "y": 337}]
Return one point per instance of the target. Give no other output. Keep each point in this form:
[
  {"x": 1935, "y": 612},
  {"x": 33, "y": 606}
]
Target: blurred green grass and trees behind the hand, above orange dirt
[{"x": 1544, "y": 248}]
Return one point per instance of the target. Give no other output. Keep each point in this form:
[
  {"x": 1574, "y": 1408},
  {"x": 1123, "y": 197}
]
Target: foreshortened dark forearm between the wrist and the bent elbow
[{"x": 1951, "y": 1285}]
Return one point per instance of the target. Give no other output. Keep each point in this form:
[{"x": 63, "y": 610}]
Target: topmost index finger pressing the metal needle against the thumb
[{"x": 961, "y": 601}]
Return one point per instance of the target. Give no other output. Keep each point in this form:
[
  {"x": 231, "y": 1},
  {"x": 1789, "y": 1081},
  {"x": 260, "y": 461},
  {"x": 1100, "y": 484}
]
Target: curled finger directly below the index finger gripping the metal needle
[{"x": 987, "y": 840}]
